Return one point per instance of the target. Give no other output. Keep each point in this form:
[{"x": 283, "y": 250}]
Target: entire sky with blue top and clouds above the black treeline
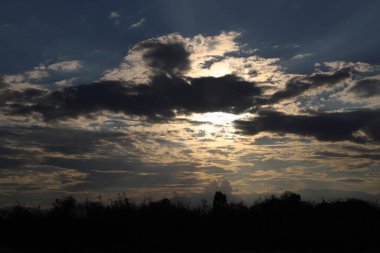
[{"x": 179, "y": 99}]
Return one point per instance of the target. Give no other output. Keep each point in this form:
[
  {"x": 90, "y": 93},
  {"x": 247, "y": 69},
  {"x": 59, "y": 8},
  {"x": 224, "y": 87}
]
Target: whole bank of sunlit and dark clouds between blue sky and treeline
[{"x": 179, "y": 113}]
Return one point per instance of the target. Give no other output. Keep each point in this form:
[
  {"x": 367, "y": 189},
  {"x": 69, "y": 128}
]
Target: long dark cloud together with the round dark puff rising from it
[{"x": 166, "y": 94}]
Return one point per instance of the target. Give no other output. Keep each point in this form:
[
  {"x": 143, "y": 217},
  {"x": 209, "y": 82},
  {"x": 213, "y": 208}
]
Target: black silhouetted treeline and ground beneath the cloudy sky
[{"x": 275, "y": 223}]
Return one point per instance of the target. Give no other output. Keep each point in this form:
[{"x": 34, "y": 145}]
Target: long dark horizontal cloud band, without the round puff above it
[{"x": 159, "y": 99}]
